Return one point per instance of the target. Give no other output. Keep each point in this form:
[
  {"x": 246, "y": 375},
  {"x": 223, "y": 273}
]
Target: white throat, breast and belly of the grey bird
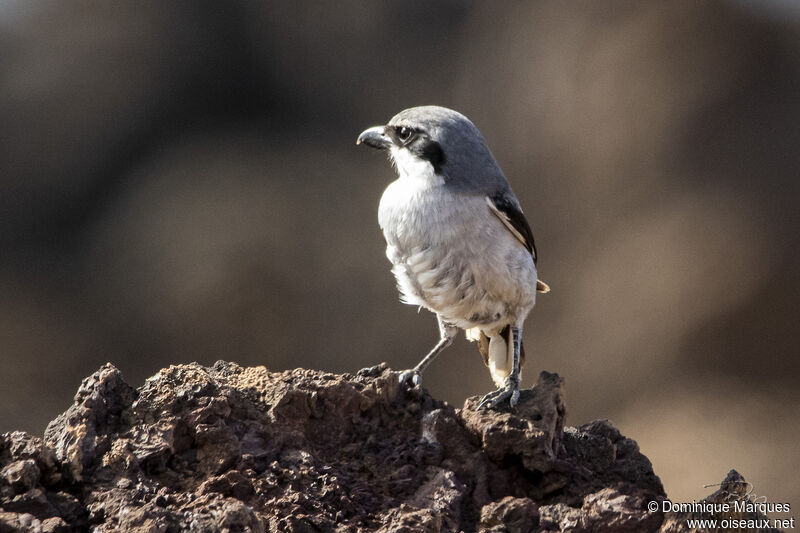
[{"x": 450, "y": 254}]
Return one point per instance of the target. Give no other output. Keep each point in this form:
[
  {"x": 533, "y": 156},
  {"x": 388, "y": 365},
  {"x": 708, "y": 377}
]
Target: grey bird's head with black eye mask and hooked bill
[{"x": 436, "y": 140}]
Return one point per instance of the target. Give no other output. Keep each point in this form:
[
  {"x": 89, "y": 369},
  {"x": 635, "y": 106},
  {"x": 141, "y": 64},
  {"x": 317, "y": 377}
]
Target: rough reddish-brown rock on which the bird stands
[{"x": 228, "y": 448}]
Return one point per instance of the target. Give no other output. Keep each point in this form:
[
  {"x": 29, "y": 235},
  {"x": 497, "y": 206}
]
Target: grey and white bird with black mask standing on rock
[{"x": 458, "y": 241}]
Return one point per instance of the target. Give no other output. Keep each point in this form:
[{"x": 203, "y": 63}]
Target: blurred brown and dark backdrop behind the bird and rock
[{"x": 179, "y": 181}]
